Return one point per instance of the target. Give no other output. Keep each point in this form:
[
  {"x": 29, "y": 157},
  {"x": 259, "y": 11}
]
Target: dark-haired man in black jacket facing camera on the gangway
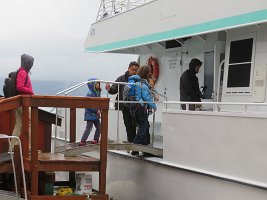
[{"x": 129, "y": 122}]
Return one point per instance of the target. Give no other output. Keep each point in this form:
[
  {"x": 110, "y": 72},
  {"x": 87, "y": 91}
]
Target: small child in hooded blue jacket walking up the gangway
[{"x": 92, "y": 115}]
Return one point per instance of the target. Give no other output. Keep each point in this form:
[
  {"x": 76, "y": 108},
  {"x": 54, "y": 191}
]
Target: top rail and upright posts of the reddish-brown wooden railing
[{"x": 32, "y": 160}]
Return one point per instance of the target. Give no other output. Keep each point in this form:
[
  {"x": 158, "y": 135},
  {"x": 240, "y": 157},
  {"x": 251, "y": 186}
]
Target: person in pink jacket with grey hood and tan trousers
[{"x": 24, "y": 86}]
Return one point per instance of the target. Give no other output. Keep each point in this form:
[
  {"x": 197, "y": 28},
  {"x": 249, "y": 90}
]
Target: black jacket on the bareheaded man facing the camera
[{"x": 114, "y": 88}]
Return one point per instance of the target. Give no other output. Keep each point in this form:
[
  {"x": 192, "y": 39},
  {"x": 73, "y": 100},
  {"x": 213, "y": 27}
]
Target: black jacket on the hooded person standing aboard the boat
[{"x": 189, "y": 87}]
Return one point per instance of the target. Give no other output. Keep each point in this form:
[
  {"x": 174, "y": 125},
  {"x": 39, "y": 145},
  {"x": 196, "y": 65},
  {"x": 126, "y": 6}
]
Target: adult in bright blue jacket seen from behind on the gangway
[{"x": 145, "y": 99}]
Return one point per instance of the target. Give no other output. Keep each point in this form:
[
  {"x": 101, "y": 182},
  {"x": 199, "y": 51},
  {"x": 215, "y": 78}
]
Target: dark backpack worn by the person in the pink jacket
[{"x": 10, "y": 85}]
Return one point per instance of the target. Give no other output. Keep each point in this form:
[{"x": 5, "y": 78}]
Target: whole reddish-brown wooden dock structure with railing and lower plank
[{"x": 36, "y": 163}]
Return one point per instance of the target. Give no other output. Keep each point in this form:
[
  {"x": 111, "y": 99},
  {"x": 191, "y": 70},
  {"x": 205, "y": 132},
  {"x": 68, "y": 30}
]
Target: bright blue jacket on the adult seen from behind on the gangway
[{"x": 142, "y": 92}]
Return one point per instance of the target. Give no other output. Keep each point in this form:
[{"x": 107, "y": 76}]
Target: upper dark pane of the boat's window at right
[{"x": 241, "y": 51}]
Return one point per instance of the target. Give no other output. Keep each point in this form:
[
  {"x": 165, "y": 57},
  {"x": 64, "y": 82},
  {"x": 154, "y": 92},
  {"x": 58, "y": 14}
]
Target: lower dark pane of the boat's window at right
[{"x": 239, "y": 75}]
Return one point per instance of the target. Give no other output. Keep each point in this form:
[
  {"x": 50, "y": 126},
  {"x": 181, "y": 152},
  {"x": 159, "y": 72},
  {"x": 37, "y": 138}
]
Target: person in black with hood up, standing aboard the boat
[{"x": 189, "y": 86}]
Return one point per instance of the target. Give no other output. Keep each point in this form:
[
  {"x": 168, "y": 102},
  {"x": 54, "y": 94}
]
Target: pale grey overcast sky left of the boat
[{"x": 53, "y": 32}]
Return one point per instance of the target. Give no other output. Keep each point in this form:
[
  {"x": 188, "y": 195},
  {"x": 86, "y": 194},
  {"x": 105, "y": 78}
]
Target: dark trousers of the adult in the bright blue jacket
[{"x": 141, "y": 117}]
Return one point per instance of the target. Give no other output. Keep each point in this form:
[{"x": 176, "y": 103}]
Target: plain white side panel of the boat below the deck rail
[{"x": 231, "y": 144}]
